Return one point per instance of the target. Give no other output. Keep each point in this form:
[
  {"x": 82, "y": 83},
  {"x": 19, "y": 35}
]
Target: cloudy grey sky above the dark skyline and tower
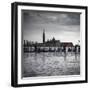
[{"x": 62, "y": 26}]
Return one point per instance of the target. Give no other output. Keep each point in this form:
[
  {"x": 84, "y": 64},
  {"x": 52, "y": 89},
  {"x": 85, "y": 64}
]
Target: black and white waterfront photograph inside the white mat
[{"x": 51, "y": 43}]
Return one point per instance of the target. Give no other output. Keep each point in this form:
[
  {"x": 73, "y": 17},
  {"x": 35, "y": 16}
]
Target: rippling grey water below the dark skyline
[{"x": 50, "y": 64}]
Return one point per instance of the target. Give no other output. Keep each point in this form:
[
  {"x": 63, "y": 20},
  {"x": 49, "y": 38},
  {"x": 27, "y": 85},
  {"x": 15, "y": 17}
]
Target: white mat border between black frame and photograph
[{"x": 55, "y": 78}]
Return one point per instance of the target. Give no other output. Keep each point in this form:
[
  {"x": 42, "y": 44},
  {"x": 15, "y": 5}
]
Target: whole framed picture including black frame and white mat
[{"x": 49, "y": 44}]
